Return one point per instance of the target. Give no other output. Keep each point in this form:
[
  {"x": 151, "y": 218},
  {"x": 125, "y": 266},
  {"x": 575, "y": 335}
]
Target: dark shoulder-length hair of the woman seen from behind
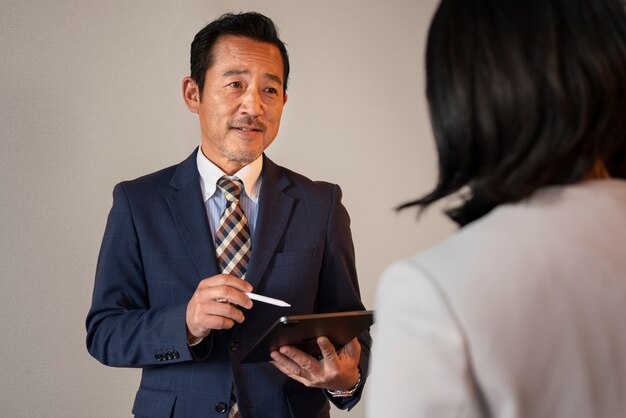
[{"x": 524, "y": 94}]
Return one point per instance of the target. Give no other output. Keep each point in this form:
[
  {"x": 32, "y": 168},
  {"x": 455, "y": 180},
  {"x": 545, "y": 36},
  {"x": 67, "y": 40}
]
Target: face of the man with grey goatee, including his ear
[{"x": 241, "y": 103}]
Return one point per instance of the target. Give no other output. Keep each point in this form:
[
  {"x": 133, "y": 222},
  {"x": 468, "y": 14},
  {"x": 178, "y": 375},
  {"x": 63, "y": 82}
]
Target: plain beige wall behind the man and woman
[{"x": 90, "y": 95}]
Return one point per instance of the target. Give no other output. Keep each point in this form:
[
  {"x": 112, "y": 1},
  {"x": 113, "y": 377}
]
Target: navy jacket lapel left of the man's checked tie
[{"x": 189, "y": 213}]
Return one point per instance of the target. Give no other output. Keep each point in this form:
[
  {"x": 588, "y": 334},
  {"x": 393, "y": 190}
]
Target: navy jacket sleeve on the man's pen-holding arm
[{"x": 122, "y": 329}]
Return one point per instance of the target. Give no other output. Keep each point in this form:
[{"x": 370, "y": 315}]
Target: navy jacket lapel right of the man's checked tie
[{"x": 274, "y": 211}]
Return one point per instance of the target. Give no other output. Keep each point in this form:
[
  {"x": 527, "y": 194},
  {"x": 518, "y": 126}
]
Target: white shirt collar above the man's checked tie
[{"x": 210, "y": 174}]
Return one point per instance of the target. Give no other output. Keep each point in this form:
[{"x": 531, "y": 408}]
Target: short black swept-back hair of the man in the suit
[{"x": 250, "y": 25}]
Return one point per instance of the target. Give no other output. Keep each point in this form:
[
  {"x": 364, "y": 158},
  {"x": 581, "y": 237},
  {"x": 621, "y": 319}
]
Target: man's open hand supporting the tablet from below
[{"x": 338, "y": 370}]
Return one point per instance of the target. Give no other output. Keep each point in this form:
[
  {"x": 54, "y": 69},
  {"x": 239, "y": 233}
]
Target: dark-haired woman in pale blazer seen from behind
[{"x": 522, "y": 313}]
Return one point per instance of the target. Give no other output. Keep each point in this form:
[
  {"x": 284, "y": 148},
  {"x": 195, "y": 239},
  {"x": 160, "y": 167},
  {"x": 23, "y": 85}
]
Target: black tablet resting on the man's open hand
[{"x": 301, "y": 331}]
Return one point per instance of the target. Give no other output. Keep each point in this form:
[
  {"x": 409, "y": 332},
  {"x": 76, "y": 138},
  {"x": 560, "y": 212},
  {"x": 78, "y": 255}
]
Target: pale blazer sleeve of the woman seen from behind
[{"x": 420, "y": 365}]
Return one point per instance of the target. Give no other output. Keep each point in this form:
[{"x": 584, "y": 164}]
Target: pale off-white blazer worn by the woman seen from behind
[{"x": 521, "y": 314}]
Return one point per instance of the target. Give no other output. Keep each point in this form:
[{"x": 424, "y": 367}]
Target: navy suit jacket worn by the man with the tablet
[{"x": 157, "y": 247}]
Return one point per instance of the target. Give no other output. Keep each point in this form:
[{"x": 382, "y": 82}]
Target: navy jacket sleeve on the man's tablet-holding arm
[{"x": 339, "y": 287}]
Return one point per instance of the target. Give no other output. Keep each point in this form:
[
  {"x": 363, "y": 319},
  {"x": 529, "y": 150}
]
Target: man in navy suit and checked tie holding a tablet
[{"x": 169, "y": 295}]
